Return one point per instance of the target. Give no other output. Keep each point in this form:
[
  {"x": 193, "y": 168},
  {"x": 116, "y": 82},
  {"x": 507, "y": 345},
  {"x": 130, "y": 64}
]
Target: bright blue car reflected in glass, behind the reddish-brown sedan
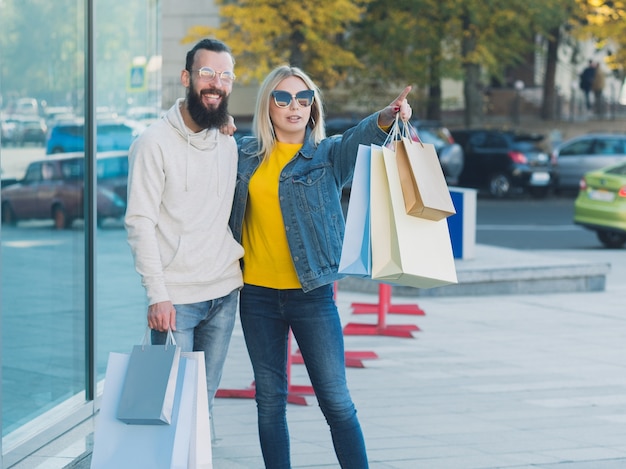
[{"x": 69, "y": 136}]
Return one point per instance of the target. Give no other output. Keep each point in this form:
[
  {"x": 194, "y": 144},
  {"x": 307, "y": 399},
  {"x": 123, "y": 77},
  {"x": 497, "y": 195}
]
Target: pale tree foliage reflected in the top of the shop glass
[{"x": 42, "y": 48}]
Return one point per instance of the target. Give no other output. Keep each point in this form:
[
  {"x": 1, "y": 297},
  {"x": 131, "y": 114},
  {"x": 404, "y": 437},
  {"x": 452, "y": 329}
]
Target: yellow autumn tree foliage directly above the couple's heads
[{"x": 266, "y": 33}]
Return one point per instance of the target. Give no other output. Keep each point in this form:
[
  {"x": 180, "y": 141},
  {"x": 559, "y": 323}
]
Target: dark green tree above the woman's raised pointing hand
[{"x": 406, "y": 42}]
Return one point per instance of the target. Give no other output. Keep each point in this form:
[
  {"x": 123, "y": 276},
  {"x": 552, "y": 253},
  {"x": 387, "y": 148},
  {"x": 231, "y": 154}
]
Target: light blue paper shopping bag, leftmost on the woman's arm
[{"x": 356, "y": 257}]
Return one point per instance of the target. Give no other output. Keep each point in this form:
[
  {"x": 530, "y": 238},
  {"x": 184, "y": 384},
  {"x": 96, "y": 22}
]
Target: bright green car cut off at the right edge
[{"x": 601, "y": 204}]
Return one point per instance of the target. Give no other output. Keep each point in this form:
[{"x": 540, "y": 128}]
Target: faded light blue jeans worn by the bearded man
[{"x": 205, "y": 327}]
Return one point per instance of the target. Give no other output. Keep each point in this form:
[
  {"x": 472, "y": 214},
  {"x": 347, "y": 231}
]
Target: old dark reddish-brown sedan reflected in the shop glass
[{"x": 53, "y": 189}]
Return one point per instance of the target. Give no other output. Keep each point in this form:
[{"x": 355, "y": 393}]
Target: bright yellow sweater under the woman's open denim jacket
[{"x": 267, "y": 259}]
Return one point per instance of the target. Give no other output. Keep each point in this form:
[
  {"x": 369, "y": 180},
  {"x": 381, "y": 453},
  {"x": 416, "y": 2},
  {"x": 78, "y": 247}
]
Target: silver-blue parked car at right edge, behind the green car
[{"x": 579, "y": 155}]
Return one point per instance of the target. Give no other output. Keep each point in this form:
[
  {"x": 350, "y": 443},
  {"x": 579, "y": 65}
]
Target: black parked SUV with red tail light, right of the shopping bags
[{"x": 505, "y": 162}]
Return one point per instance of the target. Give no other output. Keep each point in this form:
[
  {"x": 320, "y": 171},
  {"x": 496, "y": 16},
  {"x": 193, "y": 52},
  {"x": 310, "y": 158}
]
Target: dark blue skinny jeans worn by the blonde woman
[{"x": 266, "y": 316}]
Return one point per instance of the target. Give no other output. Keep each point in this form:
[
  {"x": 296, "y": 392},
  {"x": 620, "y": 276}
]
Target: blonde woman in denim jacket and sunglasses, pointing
[{"x": 287, "y": 215}]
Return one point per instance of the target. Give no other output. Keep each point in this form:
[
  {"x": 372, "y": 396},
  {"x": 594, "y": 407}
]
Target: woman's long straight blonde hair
[{"x": 262, "y": 124}]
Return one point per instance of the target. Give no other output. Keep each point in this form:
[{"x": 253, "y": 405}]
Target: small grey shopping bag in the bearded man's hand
[{"x": 148, "y": 392}]
